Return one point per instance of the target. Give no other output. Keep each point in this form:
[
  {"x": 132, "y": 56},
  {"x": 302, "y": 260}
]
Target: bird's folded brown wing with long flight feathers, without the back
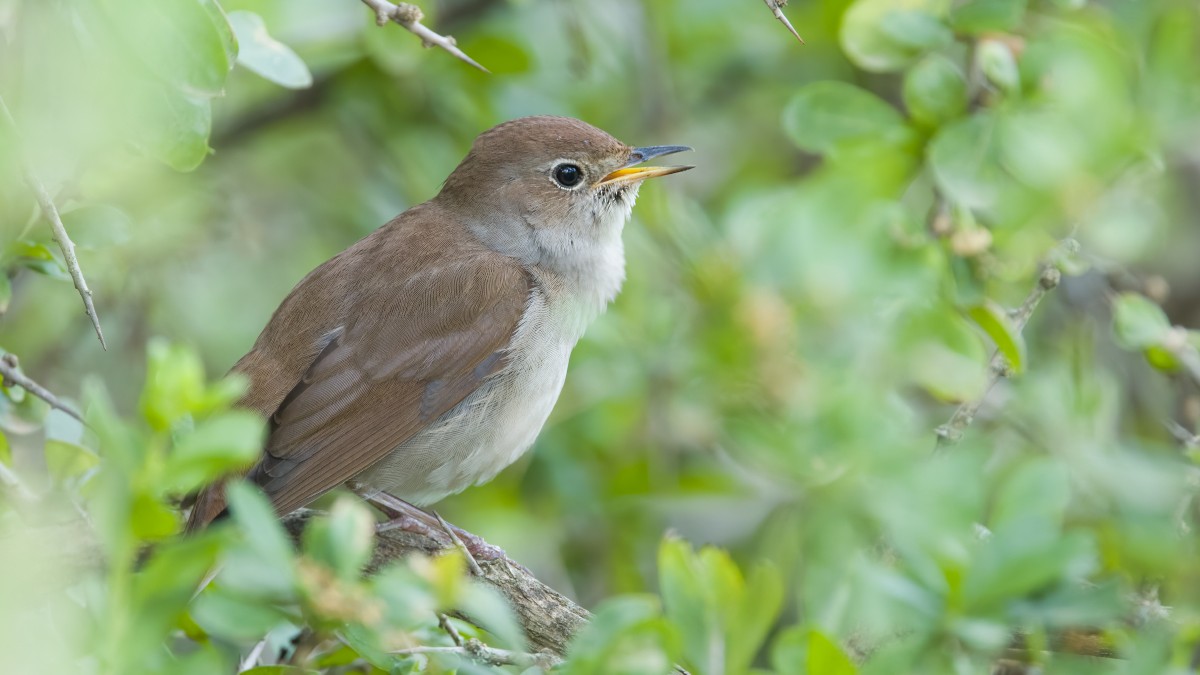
[{"x": 387, "y": 377}]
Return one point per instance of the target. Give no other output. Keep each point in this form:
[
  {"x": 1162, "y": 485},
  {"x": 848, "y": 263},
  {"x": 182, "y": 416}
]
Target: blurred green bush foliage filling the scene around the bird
[{"x": 757, "y": 465}]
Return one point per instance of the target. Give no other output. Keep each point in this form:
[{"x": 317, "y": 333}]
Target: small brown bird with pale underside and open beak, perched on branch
[{"x": 427, "y": 357}]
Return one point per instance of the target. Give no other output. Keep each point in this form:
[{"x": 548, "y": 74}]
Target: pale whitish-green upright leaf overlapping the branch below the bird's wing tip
[{"x": 344, "y": 540}]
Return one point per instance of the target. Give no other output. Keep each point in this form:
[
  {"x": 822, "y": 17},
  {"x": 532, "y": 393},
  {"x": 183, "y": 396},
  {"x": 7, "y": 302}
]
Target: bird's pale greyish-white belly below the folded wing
[{"x": 491, "y": 428}]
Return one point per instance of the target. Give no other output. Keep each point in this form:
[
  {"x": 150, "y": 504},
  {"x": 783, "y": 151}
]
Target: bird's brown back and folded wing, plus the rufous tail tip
[{"x": 369, "y": 349}]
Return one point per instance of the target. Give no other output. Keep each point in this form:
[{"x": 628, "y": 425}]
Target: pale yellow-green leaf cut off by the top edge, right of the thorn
[{"x": 890, "y": 35}]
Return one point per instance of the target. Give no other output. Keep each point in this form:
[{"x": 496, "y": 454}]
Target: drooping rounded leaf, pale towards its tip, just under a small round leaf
[{"x": 965, "y": 160}]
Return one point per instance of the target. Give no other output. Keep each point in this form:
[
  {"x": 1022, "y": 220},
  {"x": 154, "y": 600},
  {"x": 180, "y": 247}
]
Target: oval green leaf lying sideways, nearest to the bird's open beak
[{"x": 826, "y": 116}]
